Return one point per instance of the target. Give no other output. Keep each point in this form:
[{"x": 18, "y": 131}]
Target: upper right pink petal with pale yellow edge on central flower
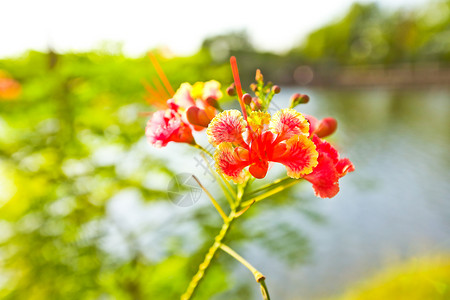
[{"x": 287, "y": 123}]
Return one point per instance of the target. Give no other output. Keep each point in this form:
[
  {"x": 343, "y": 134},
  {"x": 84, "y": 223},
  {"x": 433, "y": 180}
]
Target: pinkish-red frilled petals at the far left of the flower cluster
[{"x": 167, "y": 126}]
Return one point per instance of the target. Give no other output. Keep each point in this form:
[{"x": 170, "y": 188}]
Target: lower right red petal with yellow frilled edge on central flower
[{"x": 299, "y": 157}]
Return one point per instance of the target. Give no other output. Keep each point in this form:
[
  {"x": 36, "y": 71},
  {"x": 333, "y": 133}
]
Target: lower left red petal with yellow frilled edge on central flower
[{"x": 231, "y": 161}]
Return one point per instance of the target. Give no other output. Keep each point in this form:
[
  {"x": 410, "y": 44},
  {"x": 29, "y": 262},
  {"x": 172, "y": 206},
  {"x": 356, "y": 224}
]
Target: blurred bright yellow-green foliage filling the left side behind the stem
[{"x": 72, "y": 142}]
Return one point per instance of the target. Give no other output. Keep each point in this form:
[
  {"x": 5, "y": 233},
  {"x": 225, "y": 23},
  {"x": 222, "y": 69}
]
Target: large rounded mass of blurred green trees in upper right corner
[{"x": 369, "y": 35}]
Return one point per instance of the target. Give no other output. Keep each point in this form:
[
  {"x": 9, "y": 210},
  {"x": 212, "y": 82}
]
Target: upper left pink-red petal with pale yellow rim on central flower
[{"x": 227, "y": 126}]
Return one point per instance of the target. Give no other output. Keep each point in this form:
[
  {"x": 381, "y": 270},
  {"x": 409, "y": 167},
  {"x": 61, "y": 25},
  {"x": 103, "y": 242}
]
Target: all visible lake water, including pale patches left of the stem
[{"x": 394, "y": 207}]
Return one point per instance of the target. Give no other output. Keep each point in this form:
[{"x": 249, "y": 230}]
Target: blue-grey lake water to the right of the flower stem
[{"x": 395, "y": 206}]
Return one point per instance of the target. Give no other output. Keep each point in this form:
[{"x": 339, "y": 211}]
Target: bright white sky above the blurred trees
[{"x": 181, "y": 26}]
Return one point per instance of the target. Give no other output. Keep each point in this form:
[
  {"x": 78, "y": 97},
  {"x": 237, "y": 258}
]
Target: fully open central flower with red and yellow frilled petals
[{"x": 262, "y": 140}]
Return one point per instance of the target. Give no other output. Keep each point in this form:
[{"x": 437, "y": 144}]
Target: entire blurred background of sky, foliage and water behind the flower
[{"x": 84, "y": 212}]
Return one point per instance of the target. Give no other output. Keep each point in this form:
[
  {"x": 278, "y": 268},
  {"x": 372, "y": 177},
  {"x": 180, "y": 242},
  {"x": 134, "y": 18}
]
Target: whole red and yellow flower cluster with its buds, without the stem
[{"x": 247, "y": 142}]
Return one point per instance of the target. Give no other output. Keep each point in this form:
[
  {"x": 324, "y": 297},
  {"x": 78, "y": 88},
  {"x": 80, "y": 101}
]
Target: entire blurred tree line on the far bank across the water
[{"x": 366, "y": 36}]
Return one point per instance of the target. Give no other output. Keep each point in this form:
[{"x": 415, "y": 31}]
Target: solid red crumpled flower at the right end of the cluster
[{"x": 325, "y": 177}]
